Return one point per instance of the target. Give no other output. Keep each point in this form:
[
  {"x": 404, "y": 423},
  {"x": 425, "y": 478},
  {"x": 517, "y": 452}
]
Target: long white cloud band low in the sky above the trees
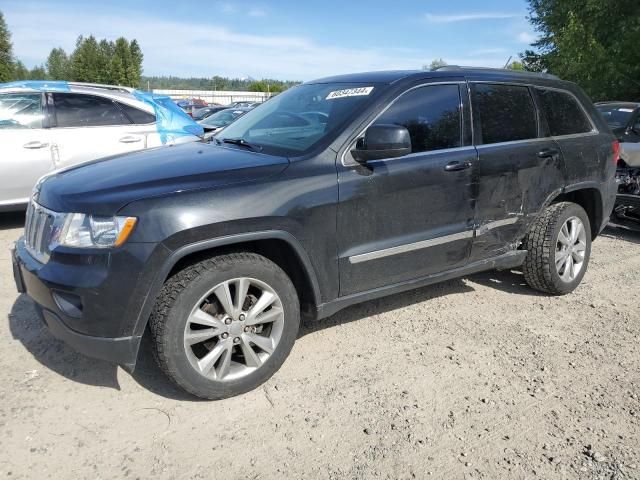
[{"x": 202, "y": 49}]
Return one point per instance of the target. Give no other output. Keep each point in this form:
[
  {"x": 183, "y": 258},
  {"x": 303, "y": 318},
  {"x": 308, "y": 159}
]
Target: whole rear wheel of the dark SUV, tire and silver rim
[{"x": 559, "y": 247}]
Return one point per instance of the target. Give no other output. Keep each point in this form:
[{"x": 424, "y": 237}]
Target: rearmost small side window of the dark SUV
[{"x": 564, "y": 114}]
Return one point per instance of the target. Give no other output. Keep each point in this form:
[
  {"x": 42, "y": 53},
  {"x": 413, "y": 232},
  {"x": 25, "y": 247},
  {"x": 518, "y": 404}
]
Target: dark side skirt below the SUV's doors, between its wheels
[{"x": 505, "y": 261}]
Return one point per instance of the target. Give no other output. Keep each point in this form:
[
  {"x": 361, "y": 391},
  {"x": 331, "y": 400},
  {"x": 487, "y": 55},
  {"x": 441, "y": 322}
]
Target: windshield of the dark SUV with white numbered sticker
[{"x": 296, "y": 121}]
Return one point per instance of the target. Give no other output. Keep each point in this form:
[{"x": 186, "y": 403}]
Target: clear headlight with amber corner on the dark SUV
[{"x": 89, "y": 231}]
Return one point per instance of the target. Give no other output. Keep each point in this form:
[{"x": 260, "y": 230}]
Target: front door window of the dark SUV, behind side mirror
[{"x": 432, "y": 116}]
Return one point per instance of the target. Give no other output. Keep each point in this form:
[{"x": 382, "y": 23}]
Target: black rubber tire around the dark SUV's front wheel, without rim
[{"x": 178, "y": 297}]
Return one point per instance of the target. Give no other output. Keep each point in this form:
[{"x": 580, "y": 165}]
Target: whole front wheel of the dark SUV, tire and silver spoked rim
[{"x": 223, "y": 326}]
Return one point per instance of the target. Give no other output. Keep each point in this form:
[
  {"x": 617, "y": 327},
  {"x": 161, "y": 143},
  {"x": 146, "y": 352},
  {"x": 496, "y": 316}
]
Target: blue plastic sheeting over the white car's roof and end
[{"x": 171, "y": 121}]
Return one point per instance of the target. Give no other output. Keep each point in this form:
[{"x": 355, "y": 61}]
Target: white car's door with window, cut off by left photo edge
[{"x": 25, "y": 145}]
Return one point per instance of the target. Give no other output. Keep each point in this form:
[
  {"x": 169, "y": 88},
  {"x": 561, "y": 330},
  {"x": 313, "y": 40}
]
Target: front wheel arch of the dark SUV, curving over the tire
[{"x": 278, "y": 246}]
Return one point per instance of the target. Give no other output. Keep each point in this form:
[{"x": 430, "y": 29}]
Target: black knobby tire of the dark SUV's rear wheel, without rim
[{"x": 539, "y": 267}]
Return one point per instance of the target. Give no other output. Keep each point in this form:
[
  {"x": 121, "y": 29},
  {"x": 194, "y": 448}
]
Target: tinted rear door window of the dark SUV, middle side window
[{"x": 505, "y": 113}]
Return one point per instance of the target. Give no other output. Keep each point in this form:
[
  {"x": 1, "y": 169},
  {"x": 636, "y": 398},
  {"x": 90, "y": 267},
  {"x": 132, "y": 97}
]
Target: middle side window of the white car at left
[{"x": 79, "y": 110}]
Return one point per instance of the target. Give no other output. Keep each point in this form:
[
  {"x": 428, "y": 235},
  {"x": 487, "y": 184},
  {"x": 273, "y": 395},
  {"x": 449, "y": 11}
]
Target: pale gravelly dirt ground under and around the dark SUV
[{"x": 478, "y": 377}]
